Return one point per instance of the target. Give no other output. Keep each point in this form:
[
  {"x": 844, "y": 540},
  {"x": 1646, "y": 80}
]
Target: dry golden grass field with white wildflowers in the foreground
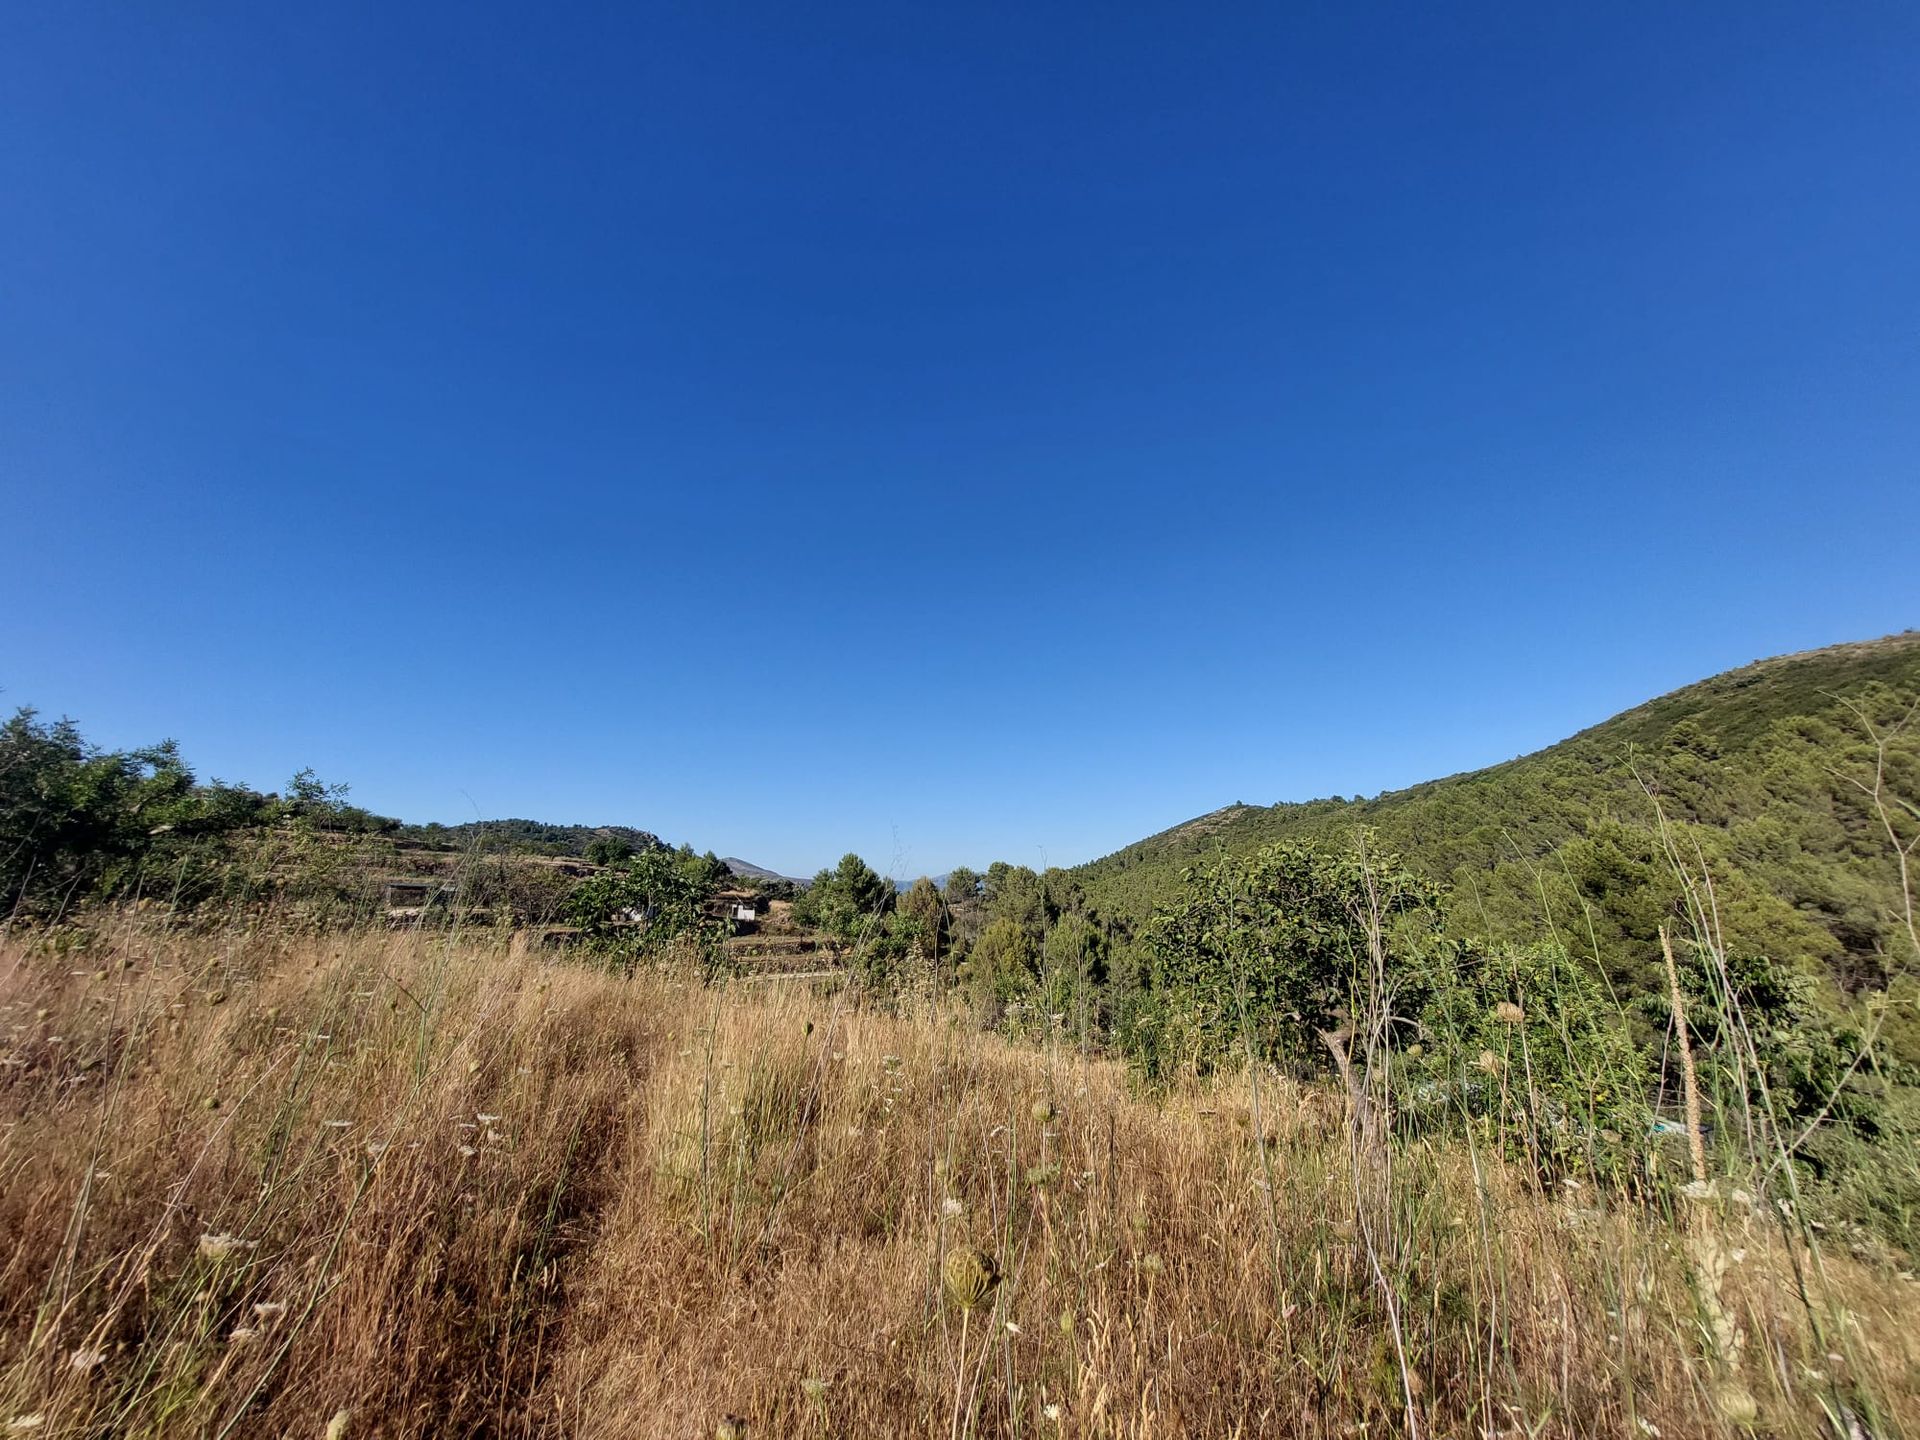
[{"x": 396, "y": 1186}]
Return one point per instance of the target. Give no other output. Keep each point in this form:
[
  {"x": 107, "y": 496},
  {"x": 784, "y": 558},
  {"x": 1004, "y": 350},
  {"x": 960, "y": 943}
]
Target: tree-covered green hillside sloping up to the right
[{"x": 1752, "y": 771}]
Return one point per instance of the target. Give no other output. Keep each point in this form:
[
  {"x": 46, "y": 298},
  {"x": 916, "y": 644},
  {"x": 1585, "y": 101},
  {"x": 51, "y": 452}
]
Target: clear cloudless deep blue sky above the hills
[{"x": 946, "y": 433}]
